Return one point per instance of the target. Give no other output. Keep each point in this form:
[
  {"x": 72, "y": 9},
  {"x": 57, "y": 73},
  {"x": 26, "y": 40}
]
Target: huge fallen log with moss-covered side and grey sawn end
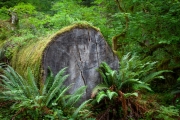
[{"x": 79, "y": 47}]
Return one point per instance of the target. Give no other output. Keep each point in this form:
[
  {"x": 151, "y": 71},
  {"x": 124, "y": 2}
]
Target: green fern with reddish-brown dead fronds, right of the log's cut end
[{"x": 120, "y": 88}]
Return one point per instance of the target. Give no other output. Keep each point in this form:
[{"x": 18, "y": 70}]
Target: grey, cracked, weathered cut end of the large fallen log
[{"x": 81, "y": 50}]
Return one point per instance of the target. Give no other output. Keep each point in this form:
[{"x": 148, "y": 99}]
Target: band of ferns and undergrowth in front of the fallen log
[{"x": 124, "y": 94}]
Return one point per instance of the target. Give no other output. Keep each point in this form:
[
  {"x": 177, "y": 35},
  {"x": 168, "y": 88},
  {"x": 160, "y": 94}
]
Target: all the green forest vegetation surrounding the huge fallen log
[{"x": 144, "y": 34}]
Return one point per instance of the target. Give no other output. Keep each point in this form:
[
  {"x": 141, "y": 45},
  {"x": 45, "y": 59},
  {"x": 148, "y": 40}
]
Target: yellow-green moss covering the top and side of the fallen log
[{"x": 30, "y": 55}]
